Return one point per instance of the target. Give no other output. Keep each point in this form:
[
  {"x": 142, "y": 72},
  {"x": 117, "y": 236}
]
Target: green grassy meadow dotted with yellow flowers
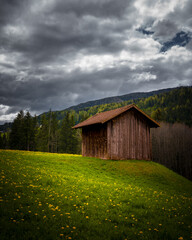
[{"x": 60, "y": 196}]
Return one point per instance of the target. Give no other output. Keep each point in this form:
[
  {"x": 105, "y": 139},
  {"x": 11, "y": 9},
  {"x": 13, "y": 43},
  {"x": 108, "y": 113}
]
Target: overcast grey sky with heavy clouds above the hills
[{"x": 59, "y": 53}]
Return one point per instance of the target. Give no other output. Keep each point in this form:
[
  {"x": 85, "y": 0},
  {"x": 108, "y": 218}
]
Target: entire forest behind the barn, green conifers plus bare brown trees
[{"x": 52, "y": 131}]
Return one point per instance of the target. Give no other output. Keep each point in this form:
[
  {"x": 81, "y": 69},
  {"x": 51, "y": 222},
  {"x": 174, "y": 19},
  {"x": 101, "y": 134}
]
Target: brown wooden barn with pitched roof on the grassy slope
[{"x": 123, "y": 133}]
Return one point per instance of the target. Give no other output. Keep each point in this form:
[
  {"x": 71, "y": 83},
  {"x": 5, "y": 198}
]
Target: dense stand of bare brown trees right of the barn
[{"x": 172, "y": 147}]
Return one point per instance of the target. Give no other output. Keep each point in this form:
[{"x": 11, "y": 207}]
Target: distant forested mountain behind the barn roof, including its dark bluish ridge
[{"x": 173, "y": 104}]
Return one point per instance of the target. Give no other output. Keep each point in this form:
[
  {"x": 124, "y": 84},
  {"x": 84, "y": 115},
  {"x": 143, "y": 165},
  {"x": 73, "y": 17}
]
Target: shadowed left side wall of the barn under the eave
[{"x": 94, "y": 141}]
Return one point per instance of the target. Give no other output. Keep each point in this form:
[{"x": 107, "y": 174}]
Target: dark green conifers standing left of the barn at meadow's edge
[{"x": 46, "y": 134}]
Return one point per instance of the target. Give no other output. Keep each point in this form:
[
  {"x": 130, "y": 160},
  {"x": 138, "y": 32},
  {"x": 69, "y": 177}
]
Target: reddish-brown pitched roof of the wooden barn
[{"x": 104, "y": 117}]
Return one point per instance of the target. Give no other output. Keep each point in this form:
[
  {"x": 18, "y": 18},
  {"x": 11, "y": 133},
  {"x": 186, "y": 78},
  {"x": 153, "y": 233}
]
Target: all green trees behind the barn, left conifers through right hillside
[{"x": 52, "y": 131}]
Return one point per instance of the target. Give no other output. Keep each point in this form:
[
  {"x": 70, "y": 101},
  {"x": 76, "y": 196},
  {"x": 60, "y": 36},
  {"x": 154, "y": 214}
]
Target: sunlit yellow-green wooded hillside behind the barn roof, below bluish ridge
[{"x": 172, "y": 106}]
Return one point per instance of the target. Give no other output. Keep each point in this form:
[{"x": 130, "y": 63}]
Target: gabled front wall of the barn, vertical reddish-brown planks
[{"x": 128, "y": 137}]
